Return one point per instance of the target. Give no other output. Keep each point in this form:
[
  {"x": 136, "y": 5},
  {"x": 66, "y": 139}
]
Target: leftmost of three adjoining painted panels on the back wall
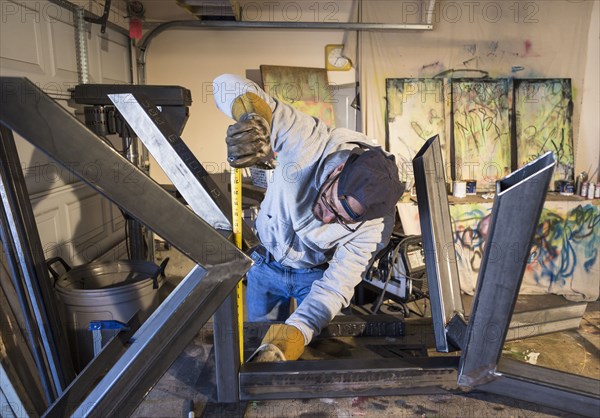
[{"x": 415, "y": 113}]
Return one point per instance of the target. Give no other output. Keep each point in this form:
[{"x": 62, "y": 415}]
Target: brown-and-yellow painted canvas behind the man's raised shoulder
[{"x": 306, "y": 89}]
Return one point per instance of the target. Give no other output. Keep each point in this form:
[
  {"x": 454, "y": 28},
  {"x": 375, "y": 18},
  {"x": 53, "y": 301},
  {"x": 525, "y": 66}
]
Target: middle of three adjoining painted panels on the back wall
[{"x": 480, "y": 148}]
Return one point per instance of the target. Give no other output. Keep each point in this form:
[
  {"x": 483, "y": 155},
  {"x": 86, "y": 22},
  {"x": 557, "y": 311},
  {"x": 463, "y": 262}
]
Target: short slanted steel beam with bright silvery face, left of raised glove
[{"x": 178, "y": 162}]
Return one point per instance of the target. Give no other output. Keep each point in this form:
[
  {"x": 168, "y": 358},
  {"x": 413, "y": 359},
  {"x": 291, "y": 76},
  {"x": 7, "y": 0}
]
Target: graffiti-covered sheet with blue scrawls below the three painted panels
[{"x": 564, "y": 257}]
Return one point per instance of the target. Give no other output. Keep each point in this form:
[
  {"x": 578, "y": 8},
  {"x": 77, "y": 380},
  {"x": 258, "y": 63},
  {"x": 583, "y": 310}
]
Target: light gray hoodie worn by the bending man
[{"x": 307, "y": 152}]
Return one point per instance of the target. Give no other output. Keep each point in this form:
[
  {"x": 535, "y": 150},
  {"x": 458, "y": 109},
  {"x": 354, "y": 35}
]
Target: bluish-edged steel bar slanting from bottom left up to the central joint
[{"x": 161, "y": 339}]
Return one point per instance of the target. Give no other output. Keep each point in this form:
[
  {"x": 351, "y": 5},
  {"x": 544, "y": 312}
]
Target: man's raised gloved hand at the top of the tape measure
[{"x": 248, "y": 141}]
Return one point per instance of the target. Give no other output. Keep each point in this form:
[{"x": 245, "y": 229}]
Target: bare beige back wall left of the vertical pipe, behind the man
[{"x": 193, "y": 58}]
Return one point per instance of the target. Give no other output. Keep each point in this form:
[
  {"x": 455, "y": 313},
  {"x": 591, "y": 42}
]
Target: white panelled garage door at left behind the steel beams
[{"x": 37, "y": 41}]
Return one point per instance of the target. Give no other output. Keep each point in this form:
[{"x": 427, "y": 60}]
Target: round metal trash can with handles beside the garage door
[{"x": 97, "y": 291}]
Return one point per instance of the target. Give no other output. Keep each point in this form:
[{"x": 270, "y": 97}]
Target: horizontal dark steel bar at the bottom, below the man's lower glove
[{"x": 346, "y": 378}]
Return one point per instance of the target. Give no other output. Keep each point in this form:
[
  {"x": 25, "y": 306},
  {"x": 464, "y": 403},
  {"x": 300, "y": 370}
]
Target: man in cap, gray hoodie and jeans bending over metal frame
[{"x": 328, "y": 211}]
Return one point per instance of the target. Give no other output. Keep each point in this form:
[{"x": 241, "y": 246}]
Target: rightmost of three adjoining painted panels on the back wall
[{"x": 544, "y": 122}]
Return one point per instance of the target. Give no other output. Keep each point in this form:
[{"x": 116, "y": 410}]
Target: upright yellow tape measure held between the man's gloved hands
[{"x": 236, "y": 224}]
